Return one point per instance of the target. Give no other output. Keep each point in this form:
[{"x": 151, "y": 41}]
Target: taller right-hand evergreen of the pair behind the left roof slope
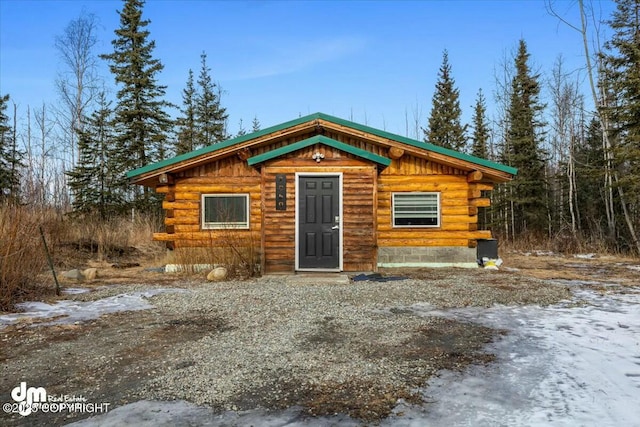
[{"x": 210, "y": 116}]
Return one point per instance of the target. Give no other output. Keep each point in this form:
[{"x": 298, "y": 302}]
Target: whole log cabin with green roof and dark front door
[{"x": 320, "y": 193}]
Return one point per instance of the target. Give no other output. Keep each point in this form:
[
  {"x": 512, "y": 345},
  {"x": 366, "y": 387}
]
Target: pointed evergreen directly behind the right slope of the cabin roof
[{"x": 444, "y": 127}]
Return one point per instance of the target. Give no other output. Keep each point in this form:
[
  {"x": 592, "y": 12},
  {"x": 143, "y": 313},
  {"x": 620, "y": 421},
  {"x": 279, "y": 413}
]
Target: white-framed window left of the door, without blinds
[{"x": 225, "y": 211}]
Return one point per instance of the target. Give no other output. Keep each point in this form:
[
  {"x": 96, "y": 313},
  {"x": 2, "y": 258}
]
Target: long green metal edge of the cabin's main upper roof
[{"x": 230, "y": 142}]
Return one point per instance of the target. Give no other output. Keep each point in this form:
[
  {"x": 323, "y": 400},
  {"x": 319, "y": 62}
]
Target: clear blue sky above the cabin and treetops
[{"x": 374, "y": 62}]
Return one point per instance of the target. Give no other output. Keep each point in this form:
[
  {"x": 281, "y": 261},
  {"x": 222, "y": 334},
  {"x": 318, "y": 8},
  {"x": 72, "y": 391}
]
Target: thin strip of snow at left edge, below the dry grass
[{"x": 67, "y": 311}]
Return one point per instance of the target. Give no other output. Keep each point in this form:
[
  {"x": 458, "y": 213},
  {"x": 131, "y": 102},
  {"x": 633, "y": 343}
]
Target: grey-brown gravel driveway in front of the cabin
[{"x": 268, "y": 343}]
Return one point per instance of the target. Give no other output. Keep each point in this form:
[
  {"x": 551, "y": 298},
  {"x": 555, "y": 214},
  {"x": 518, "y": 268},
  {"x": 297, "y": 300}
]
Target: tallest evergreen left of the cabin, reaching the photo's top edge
[{"x": 140, "y": 117}]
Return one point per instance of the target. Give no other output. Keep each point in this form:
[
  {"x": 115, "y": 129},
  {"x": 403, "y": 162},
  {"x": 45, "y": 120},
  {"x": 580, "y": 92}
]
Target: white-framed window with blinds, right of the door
[{"x": 416, "y": 209}]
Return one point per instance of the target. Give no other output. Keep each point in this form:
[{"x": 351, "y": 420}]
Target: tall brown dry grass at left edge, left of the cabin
[{"x": 73, "y": 243}]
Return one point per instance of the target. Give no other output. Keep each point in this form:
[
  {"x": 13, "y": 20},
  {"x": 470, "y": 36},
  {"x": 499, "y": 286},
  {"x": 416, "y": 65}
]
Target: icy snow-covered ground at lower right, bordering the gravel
[{"x": 573, "y": 364}]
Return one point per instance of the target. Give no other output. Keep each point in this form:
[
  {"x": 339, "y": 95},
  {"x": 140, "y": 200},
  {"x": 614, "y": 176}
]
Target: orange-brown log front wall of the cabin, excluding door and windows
[{"x": 367, "y": 219}]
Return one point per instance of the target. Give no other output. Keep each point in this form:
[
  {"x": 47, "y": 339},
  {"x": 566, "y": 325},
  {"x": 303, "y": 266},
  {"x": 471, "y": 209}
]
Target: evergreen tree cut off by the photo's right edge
[{"x": 623, "y": 63}]
